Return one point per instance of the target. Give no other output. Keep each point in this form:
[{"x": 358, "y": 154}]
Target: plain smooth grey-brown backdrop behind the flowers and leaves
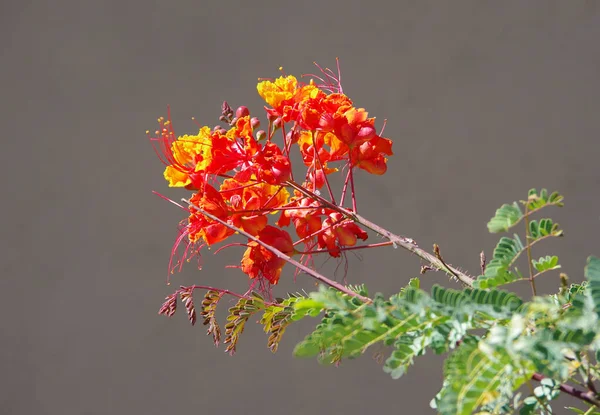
[{"x": 484, "y": 100}]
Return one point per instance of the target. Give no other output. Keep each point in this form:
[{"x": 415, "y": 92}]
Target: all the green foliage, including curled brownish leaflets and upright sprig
[{"x": 496, "y": 342}]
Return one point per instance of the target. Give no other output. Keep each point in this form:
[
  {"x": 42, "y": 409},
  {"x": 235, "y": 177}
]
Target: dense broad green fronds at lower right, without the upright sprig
[{"x": 485, "y": 369}]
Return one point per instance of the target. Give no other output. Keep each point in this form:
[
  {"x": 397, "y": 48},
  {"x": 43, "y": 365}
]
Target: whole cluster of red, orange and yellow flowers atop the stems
[{"x": 242, "y": 175}]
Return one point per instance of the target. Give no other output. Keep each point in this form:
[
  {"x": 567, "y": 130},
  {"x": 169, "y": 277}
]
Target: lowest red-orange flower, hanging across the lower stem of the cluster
[{"x": 258, "y": 262}]
